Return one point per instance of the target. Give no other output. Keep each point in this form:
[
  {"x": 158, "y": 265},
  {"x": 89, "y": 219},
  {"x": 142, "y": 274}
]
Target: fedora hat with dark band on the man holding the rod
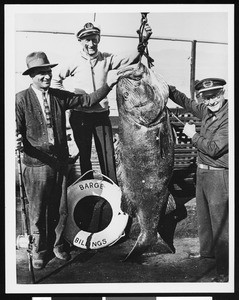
[{"x": 37, "y": 60}]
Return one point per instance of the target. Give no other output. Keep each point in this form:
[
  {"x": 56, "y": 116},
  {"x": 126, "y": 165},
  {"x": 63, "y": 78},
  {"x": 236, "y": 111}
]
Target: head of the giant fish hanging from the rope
[{"x": 141, "y": 94}]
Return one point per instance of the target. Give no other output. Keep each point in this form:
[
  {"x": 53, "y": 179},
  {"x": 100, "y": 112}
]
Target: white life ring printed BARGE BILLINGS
[{"x": 113, "y": 232}]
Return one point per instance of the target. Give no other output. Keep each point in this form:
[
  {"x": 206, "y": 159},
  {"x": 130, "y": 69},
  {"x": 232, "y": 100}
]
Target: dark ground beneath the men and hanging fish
[{"x": 106, "y": 265}]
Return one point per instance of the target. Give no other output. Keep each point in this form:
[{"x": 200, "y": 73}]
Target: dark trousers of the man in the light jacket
[{"x": 98, "y": 125}]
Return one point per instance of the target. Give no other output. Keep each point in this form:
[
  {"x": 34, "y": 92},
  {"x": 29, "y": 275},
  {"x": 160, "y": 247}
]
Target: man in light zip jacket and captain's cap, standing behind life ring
[{"x": 89, "y": 71}]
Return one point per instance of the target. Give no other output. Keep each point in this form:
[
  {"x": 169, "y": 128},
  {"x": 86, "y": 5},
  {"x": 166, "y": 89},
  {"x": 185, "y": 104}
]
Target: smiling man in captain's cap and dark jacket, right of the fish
[{"x": 212, "y": 172}]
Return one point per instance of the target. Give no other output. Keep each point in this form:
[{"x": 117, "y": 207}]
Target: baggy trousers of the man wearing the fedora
[{"x": 46, "y": 191}]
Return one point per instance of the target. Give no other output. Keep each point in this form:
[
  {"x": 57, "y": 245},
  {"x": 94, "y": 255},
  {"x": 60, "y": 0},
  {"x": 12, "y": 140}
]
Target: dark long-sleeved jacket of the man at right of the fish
[{"x": 212, "y": 141}]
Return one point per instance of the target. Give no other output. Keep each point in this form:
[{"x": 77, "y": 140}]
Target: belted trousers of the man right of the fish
[{"x": 212, "y": 213}]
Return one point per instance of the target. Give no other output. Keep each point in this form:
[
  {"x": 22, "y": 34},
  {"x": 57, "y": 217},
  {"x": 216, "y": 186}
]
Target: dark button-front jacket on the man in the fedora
[{"x": 31, "y": 123}]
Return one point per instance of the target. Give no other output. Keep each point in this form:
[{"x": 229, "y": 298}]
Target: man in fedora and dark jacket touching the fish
[{"x": 40, "y": 121}]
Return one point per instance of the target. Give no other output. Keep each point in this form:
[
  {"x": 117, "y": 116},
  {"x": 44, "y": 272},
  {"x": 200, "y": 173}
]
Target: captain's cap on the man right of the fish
[{"x": 209, "y": 85}]
